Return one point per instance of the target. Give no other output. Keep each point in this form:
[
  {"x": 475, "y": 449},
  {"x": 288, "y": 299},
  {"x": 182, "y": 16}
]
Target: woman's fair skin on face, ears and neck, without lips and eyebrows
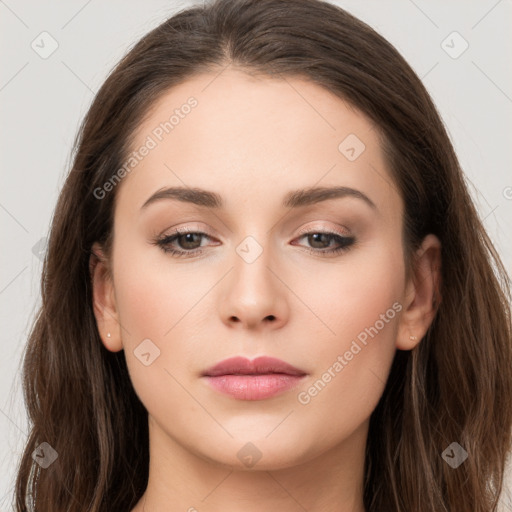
[{"x": 252, "y": 140}]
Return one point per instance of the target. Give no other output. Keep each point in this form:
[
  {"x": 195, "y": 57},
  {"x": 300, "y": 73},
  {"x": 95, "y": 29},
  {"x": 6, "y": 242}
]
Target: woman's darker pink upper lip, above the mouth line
[{"x": 259, "y": 366}]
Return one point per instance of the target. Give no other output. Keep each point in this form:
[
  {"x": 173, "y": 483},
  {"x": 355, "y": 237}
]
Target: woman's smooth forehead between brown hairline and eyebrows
[{"x": 248, "y": 136}]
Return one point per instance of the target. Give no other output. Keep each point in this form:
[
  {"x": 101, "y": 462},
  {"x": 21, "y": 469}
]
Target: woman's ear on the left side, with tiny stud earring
[{"x": 103, "y": 297}]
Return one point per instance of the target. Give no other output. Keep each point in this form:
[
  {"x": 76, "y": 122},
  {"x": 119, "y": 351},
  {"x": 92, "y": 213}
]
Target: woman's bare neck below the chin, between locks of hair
[{"x": 180, "y": 480}]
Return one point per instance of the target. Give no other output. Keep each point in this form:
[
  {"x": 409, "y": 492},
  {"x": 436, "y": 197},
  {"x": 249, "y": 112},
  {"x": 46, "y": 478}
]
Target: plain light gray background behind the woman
[{"x": 42, "y": 102}]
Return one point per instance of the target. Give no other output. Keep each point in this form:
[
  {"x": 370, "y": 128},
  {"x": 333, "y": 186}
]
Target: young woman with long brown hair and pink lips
[{"x": 267, "y": 286}]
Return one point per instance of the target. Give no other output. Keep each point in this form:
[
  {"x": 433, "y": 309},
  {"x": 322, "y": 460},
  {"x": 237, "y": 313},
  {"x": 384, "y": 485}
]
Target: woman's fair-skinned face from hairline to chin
[{"x": 261, "y": 279}]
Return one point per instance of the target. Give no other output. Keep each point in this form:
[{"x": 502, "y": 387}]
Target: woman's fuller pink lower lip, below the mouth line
[{"x": 254, "y": 387}]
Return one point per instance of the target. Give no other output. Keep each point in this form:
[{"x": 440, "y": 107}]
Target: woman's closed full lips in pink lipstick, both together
[{"x": 259, "y": 379}]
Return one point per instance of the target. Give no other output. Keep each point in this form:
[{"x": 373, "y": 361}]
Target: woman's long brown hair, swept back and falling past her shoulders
[{"x": 455, "y": 386}]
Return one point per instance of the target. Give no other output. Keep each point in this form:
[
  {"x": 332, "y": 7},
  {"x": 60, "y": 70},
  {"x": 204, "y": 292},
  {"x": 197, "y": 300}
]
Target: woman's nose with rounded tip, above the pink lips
[{"x": 253, "y": 294}]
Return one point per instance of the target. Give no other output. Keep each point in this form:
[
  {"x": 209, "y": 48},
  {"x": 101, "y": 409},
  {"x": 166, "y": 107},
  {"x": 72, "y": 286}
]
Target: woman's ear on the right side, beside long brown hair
[{"x": 422, "y": 294}]
